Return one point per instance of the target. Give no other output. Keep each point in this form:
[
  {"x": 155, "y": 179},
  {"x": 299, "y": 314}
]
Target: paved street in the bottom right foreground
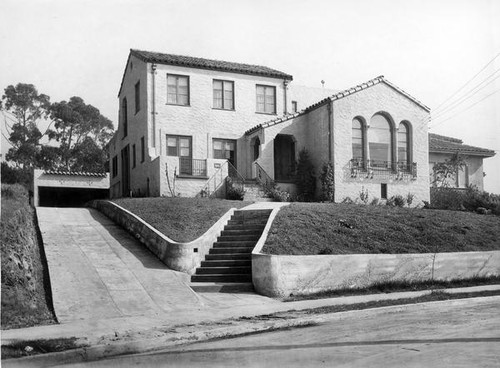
[{"x": 460, "y": 333}]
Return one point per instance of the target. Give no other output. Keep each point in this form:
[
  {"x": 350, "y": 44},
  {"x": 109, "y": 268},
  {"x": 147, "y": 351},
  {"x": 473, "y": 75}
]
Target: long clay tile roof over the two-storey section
[{"x": 195, "y": 62}]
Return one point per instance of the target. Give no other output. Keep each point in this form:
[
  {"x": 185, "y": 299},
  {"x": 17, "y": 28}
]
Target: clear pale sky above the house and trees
[{"x": 429, "y": 48}]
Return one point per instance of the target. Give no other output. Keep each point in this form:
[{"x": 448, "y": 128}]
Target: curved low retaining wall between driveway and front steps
[{"x": 184, "y": 257}]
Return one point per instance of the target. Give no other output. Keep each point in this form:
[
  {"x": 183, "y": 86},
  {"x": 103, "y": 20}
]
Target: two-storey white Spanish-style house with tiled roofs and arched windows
[{"x": 187, "y": 124}]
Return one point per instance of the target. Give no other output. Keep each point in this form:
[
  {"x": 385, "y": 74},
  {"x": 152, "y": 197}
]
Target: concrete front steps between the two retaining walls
[{"x": 228, "y": 265}]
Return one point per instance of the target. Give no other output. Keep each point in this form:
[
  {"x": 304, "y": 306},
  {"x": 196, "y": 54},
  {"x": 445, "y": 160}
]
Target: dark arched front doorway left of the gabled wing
[{"x": 284, "y": 158}]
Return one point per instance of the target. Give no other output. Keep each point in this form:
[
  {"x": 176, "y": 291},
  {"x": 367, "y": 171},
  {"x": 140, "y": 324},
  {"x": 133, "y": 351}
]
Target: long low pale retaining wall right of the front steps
[{"x": 281, "y": 276}]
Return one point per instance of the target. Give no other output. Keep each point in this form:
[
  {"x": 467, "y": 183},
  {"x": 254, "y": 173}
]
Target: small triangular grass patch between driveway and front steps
[{"x": 181, "y": 219}]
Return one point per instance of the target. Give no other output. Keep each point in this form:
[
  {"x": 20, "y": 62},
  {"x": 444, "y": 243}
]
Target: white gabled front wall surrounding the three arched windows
[{"x": 366, "y": 103}]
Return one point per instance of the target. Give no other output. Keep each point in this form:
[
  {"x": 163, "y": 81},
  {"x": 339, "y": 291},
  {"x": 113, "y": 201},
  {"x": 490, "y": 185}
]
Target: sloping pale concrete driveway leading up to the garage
[{"x": 98, "y": 271}]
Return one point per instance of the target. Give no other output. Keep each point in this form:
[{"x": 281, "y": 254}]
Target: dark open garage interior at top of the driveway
[{"x": 69, "y": 197}]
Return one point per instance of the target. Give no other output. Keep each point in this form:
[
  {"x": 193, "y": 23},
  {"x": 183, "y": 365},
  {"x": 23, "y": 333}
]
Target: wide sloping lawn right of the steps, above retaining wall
[{"x": 317, "y": 228}]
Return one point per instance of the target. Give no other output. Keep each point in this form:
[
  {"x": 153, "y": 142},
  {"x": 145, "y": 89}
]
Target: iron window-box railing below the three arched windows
[{"x": 370, "y": 169}]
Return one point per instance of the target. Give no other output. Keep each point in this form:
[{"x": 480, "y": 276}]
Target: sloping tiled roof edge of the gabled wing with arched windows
[{"x": 338, "y": 96}]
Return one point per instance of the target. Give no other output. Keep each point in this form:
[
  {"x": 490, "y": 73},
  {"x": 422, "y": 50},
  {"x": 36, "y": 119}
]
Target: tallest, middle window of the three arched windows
[{"x": 380, "y": 141}]
